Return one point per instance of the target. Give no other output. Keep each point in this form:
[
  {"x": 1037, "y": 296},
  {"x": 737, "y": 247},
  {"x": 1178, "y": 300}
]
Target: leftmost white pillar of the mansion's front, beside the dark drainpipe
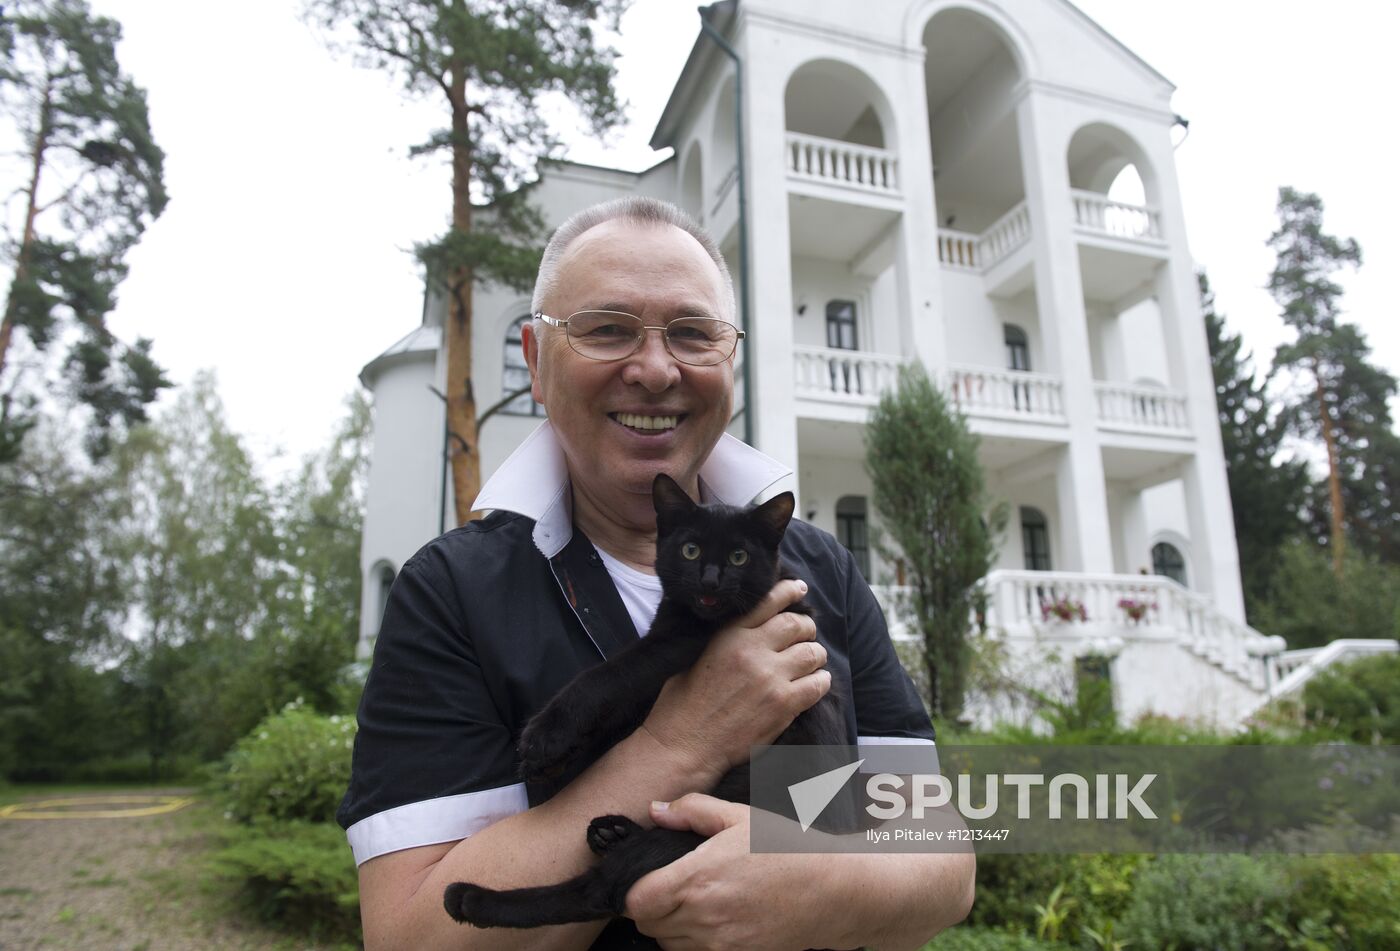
[{"x": 771, "y": 261}]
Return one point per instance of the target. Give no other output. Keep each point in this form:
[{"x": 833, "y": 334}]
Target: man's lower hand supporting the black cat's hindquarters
[{"x": 722, "y": 896}]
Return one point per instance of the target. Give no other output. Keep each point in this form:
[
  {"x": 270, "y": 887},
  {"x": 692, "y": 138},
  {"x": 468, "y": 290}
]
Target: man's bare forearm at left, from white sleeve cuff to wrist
[{"x": 404, "y": 907}]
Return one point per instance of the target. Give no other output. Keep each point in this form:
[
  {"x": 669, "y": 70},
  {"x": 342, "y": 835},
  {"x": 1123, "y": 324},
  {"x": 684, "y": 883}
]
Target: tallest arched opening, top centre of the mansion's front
[{"x": 971, "y": 78}]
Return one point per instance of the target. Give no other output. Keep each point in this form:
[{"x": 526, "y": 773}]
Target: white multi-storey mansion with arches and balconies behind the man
[{"x": 985, "y": 187}]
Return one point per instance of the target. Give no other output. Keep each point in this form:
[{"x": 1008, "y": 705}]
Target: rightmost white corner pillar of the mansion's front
[{"x": 1214, "y": 551}]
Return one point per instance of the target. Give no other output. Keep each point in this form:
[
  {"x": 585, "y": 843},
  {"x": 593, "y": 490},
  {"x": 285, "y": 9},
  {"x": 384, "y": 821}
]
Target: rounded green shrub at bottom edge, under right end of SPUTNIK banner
[{"x": 1205, "y": 903}]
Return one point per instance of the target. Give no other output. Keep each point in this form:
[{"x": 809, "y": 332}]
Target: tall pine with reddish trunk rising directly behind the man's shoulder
[{"x": 493, "y": 62}]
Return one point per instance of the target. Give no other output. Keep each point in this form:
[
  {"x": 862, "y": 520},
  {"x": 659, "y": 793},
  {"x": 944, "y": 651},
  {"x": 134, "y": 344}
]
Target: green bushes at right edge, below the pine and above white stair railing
[{"x": 1312, "y": 607}]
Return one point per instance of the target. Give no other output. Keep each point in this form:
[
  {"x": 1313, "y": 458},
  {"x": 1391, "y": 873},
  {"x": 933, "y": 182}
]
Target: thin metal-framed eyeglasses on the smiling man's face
[{"x": 611, "y": 335}]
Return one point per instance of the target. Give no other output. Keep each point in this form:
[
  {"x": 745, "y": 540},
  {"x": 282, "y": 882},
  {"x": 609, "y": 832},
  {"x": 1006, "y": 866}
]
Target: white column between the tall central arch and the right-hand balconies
[{"x": 1084, "y": 515}]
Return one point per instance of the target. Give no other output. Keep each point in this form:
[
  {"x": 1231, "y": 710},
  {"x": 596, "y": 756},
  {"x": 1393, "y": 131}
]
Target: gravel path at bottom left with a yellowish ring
[{"x": 118, "y": 884}]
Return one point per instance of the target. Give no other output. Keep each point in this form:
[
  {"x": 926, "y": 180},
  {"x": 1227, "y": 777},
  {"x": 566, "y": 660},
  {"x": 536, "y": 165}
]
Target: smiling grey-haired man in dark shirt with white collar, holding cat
[{"x": 489, "y": 621}]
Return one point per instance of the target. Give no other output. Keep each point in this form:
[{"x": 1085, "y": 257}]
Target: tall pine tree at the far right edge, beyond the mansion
[{"x": 1347, "y": 403}]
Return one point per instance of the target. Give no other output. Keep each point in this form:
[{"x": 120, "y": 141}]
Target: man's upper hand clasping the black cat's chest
[{"x": 748, "y": 687}]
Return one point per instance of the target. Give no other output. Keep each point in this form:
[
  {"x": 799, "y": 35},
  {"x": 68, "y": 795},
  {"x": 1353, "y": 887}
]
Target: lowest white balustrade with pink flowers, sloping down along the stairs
[{"x": 1023, "y": 603}]
